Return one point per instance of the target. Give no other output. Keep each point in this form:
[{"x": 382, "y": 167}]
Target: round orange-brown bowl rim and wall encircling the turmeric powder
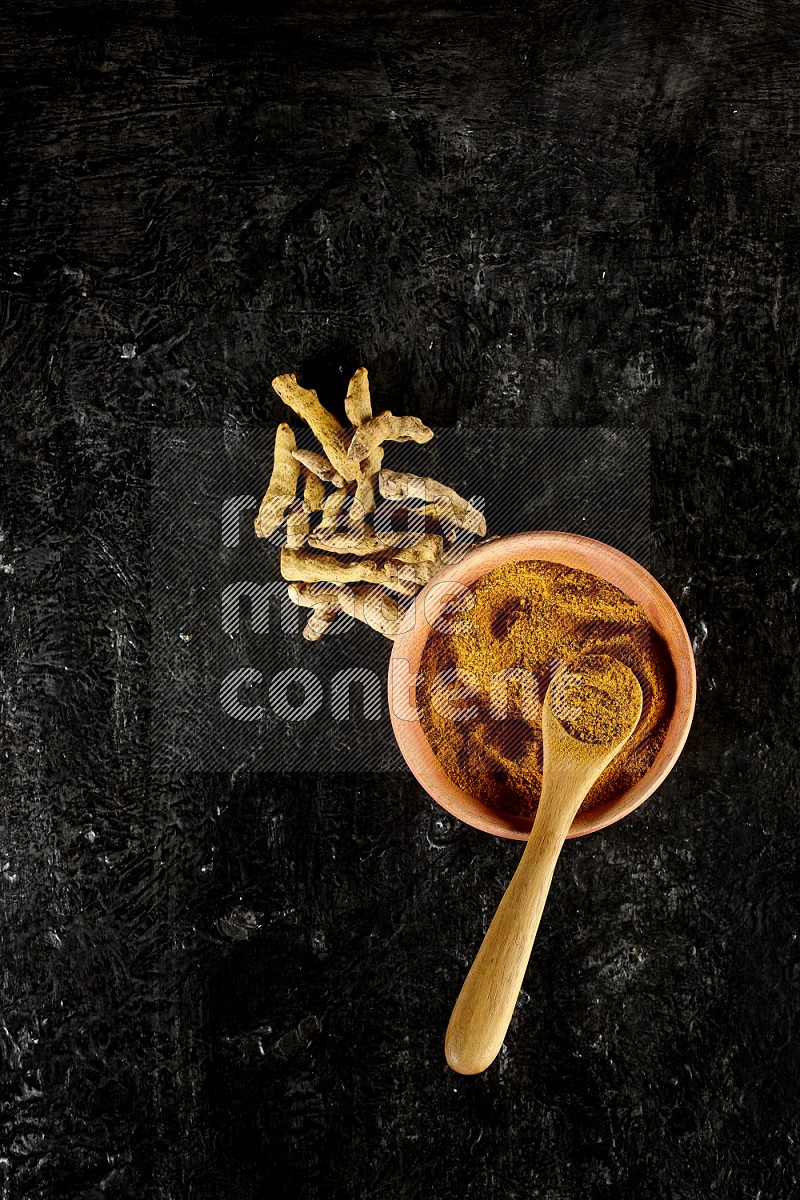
[{"x": 570, "y": 550}]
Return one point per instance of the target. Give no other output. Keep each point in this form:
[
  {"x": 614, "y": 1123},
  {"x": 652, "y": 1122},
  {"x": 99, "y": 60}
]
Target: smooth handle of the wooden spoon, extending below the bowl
[{"x": 488, "y": 1000}]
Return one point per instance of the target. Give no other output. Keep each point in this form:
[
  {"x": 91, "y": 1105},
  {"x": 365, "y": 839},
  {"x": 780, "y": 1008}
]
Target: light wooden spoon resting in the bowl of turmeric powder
[{"x": 489, "y": 998}]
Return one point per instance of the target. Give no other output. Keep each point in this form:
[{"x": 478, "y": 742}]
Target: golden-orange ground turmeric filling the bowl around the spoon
[{"x": 488, "y": 664}]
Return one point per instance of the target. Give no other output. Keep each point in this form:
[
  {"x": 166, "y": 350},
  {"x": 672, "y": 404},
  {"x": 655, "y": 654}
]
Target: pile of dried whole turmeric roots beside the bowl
[{"x": 334, "y": 556}]
